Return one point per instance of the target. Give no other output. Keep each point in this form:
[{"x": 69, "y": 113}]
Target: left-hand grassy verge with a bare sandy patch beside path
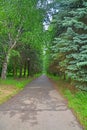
[{"x": 10, "y": 87}]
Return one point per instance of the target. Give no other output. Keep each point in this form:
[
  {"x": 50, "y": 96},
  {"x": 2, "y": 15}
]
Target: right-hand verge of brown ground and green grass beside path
[{"x": 77, "y": 100}]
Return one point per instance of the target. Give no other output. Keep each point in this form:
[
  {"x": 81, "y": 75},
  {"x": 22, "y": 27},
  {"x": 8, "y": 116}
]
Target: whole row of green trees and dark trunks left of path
[{"x": 21, "y": 37}]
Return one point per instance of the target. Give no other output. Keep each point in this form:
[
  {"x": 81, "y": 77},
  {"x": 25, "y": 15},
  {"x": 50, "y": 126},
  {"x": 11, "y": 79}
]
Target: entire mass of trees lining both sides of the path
[{"x": 26, "y": 47}]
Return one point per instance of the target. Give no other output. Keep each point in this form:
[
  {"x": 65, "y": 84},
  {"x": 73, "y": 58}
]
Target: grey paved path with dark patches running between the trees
[{"x": 38, "y": 107}]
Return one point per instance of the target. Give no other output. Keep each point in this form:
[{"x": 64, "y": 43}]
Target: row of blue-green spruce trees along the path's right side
[{"x": 68, "y": 51}]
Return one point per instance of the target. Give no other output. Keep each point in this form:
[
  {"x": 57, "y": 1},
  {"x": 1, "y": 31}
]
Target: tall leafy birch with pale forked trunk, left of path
[{"x": 20, "y": 21}]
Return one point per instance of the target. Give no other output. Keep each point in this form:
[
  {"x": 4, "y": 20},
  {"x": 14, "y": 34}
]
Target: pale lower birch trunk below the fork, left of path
[{"x": 4, "y": 67}]
